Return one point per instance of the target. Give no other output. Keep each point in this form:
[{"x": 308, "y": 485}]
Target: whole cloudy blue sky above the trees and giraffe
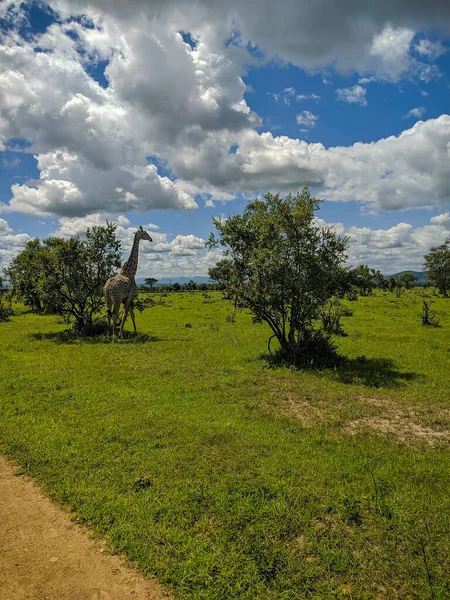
[{"x": 166, "y": 116}]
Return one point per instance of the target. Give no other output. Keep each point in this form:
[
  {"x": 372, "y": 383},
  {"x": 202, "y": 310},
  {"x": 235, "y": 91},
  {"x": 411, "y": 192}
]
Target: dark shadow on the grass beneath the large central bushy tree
[{"x": 371, "y": 372}]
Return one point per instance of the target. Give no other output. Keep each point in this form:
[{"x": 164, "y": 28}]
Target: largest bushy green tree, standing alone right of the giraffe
[{"x": 284, "y": 268}]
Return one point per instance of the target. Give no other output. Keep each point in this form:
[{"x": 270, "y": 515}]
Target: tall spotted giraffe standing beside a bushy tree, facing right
[{"x": 122, "y": 288}]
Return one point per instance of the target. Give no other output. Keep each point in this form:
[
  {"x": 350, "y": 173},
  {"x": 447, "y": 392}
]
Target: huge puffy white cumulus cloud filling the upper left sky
[{"x": 91, "y": 143}]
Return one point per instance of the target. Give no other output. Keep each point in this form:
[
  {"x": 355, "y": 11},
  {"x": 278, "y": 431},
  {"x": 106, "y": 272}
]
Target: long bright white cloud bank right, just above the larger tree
[{"x": 394, "y": 173}]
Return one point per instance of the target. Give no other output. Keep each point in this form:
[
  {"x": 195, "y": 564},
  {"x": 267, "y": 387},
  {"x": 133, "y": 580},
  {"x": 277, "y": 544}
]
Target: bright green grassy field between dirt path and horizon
[{"x": 227, "y": 478}]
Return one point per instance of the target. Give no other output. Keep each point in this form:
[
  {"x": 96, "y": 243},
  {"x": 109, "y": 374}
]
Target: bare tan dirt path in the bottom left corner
[{"x": 45, "y": 556}]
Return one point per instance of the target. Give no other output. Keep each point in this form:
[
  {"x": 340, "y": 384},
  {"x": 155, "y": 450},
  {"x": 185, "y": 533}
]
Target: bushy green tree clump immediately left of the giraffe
[{"x": 67, "y": 276}]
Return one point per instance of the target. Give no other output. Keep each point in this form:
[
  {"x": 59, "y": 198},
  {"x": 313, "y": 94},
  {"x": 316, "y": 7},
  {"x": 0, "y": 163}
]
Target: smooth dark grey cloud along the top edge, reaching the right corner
[{"x": 365, "y": 36}]
